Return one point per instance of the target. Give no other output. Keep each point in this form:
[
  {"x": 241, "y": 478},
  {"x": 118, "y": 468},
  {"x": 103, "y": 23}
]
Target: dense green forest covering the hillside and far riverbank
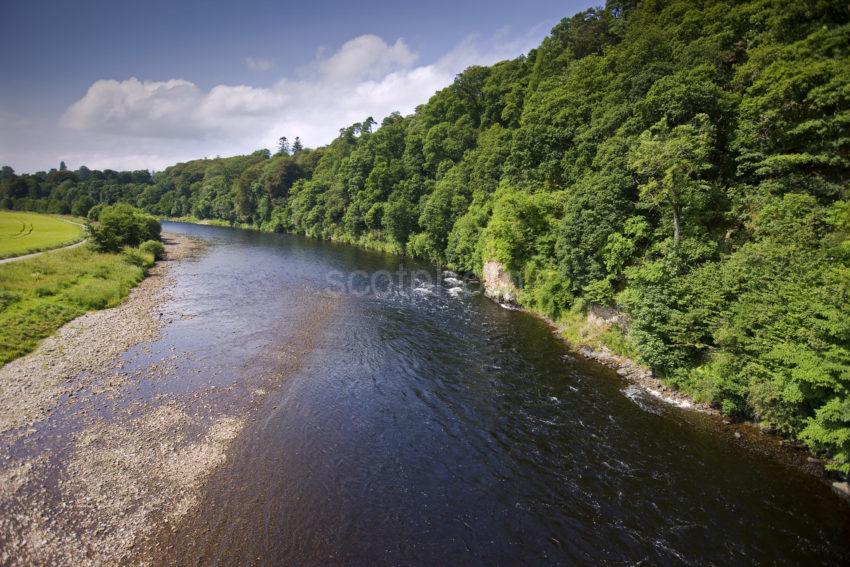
[{"x": 685, "y": 161}]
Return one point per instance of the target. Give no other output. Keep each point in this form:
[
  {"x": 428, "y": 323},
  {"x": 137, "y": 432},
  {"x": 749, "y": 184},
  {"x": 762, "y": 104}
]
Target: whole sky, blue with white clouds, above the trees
[{"x": 146, "y": 84}]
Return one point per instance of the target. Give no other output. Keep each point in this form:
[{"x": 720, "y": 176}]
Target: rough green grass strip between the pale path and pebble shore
[{"x": 38, "y": 295}]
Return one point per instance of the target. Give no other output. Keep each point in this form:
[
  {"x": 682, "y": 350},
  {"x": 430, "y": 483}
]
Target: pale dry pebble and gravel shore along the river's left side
[{"x": 81, "y": 478}]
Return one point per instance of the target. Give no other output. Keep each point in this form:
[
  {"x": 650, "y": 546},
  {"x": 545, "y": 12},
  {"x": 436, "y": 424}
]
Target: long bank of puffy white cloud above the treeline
[{"x": 366, "y": 76}]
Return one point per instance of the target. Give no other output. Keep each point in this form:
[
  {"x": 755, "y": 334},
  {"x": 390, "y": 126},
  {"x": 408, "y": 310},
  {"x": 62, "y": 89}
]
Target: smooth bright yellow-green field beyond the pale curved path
[{"x": 23, "y": 233}]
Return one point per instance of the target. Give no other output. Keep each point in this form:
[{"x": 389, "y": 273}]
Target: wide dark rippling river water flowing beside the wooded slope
[{"x": 405, "y": 423}]
